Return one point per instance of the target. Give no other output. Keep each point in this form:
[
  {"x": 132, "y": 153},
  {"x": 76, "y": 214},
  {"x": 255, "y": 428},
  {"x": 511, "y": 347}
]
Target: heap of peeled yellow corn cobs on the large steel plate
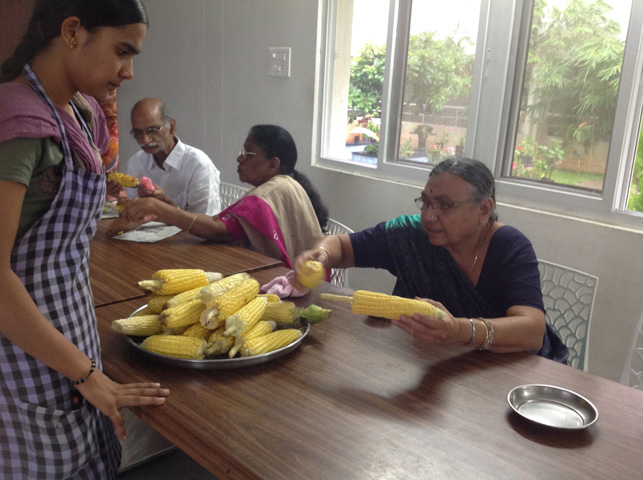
[{"x": 195, "y": 315}]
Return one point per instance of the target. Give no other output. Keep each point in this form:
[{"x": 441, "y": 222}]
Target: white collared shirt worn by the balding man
[{"x": 190, "y": 178}]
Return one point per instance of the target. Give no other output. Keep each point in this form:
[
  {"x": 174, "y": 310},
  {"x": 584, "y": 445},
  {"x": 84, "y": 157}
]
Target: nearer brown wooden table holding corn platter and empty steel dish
[{"x": 360, "y": 399}]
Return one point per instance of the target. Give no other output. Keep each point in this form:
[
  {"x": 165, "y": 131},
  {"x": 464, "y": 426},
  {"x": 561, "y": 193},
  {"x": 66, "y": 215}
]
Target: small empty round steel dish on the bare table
[{"x": 553, "y": 406}]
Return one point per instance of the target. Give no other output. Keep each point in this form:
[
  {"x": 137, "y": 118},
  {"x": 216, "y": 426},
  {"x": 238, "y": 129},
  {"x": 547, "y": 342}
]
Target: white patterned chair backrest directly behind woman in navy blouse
[{"x": 568, "y": 296}]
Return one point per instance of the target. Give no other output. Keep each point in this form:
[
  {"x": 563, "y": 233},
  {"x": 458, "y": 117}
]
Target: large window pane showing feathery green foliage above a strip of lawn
[{"x": 569, "y": 93}]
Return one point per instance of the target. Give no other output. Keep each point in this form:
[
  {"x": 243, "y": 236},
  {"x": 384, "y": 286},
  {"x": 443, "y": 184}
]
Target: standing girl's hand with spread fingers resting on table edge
[{"x": 108, "y": 396}]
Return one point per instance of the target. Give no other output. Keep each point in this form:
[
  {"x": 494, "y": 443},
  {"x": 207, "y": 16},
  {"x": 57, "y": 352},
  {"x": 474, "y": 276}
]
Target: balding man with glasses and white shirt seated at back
[{"x": 182, "y": 175}]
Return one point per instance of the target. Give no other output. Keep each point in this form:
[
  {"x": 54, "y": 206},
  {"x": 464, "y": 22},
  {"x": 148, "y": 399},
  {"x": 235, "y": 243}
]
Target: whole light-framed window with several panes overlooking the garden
[{"x": 545, "y": 92}]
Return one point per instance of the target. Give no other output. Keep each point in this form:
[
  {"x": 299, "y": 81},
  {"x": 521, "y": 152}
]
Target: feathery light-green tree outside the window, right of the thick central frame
[{"x": 574, "y": 69}]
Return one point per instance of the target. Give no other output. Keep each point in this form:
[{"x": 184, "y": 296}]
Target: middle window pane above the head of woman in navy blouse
[{"x": 437, "y": 83}]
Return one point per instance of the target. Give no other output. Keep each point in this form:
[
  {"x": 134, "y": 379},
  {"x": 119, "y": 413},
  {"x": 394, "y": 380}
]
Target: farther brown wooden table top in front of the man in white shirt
[{"x": 115, "y": 266}]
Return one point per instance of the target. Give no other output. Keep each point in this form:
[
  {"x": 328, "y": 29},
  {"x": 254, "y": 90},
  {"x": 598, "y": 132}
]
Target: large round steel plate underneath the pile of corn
[{"x": 217, "y": 363}]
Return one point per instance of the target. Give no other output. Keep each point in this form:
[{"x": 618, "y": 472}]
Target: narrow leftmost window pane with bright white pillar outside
[{"x": 353, "y": 116}]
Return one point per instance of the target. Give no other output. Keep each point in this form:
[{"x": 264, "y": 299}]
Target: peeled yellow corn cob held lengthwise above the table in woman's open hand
[{"x": 385, "y": 306}]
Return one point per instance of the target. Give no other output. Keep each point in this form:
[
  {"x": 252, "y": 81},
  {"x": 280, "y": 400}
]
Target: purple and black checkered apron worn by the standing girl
[{"x": 43, "y": 433}]
